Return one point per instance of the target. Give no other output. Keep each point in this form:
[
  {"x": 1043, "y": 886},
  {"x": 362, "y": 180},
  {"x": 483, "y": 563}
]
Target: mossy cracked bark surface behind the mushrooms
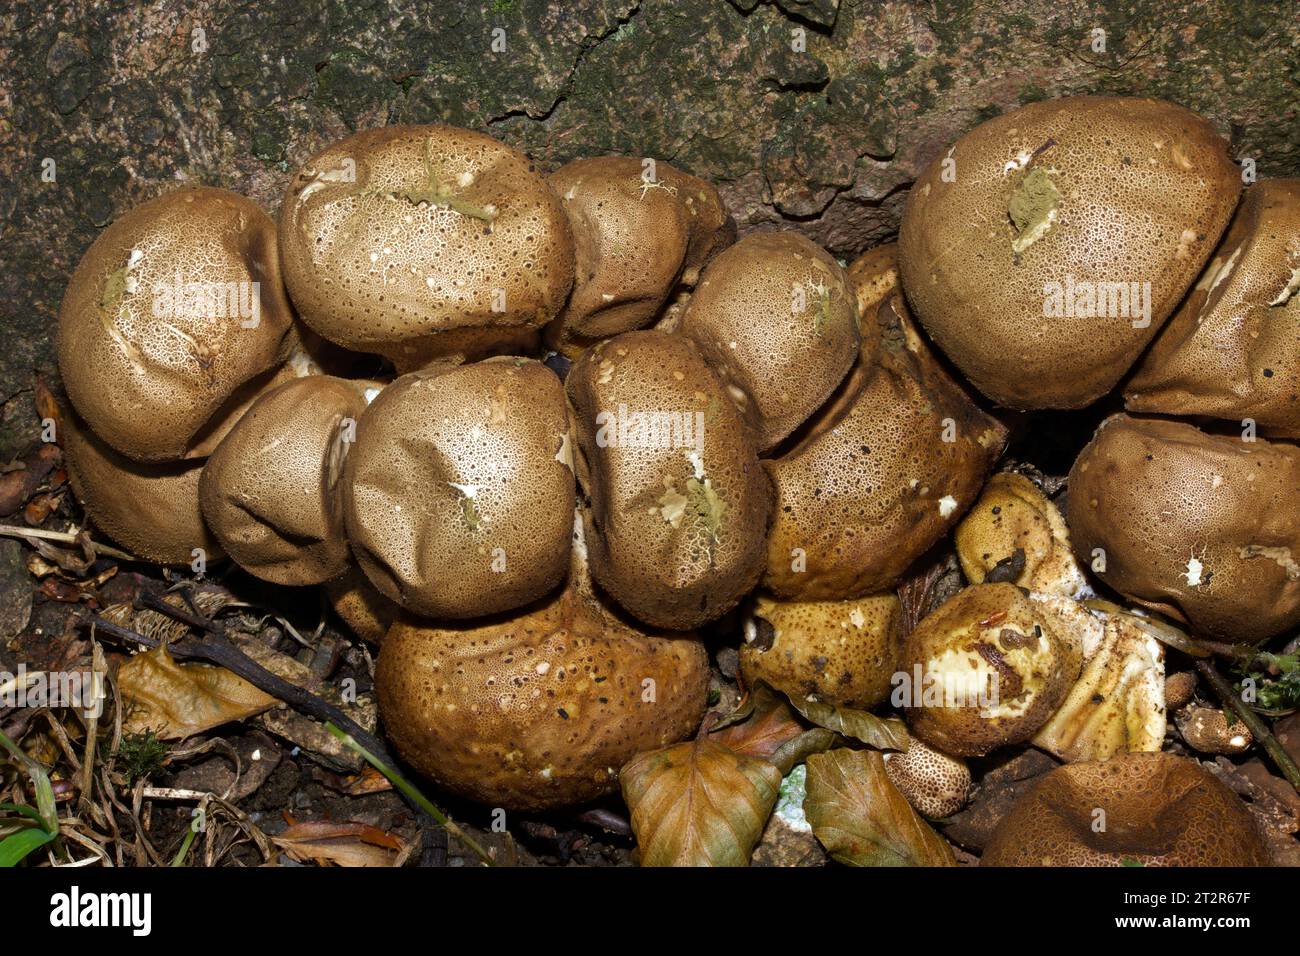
[{"x": 812, "y": 114}]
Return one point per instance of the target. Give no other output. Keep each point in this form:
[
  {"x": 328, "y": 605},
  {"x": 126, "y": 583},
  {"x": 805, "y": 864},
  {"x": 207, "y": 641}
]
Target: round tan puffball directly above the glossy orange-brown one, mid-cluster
[{"x": 775, "y": 318}]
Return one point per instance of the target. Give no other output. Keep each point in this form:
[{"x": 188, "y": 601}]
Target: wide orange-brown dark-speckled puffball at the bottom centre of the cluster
[{"x": 540, "y": 710}]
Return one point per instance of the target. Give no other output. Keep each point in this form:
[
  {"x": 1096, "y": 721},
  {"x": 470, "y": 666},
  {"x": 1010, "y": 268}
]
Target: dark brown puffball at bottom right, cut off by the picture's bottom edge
[{"x": 1160, "y": 811}]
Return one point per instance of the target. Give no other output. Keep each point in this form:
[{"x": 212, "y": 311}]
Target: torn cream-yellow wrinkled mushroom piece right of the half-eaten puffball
[{"x": 1119, "y": 703}]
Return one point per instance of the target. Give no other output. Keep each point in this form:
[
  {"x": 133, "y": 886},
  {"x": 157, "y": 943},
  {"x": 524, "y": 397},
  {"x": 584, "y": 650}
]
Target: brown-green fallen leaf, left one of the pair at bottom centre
[{"x": 699, "y": 804}]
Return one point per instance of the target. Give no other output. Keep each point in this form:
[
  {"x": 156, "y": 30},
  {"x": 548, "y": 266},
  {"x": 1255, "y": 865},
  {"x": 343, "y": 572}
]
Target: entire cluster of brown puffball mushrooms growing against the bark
[{"x": 604, "y": 423}]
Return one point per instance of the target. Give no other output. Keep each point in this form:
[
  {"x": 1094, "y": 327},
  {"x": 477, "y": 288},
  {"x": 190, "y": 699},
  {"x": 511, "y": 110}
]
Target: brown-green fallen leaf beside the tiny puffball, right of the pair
[{"x": 861, "y": 817}]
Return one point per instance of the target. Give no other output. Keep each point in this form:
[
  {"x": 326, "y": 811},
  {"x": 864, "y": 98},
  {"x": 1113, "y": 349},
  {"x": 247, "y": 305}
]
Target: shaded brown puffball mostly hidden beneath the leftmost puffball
[{"x": 153, "y": 511}]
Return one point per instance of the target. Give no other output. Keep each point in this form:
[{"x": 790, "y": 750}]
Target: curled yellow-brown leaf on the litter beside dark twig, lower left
[{"x": 179, "y": 700}]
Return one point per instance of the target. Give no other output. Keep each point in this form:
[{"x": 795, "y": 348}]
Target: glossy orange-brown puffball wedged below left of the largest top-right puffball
[{"x": 874, "y": 481}]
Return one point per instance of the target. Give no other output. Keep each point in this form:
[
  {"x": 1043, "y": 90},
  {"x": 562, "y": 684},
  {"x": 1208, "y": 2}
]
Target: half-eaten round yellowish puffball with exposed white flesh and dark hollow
[{"x": 986, "y": 671}]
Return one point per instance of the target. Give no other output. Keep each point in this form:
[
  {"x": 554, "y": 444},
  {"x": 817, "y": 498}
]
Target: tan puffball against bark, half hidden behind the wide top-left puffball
[{"x": 638, "y": 235}]
